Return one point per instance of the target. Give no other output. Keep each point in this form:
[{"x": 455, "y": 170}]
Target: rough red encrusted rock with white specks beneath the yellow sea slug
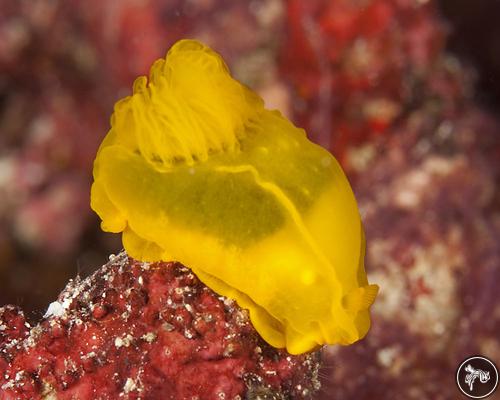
[{"x": 145, "y": 331}]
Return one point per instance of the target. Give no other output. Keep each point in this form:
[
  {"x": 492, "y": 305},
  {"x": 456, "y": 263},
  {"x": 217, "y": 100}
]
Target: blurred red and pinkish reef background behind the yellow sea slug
[{"x": 405, "y": 93}]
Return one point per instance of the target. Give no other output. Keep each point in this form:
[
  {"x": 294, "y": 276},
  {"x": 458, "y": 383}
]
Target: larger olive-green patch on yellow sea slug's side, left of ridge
[{"x": 230, "y": 206}]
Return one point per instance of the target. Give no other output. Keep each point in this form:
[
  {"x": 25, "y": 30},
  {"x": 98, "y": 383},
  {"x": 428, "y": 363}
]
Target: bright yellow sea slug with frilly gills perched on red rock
[{"x": 195, "y": 169}]
